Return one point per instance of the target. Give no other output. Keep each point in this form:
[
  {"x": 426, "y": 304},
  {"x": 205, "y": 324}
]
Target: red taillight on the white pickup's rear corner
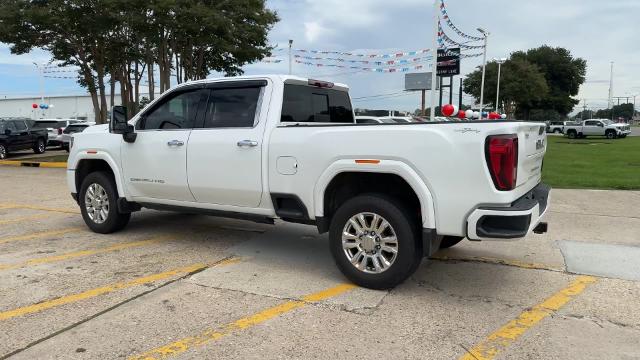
[{"x": 502, "y": 160}]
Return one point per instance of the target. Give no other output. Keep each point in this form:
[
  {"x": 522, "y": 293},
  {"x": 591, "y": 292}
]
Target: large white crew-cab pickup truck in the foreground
[{"x": 263, "y": 148}]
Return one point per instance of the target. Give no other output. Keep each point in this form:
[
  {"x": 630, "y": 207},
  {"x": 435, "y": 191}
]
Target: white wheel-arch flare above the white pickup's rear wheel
[{"x": 384, "y": 166}]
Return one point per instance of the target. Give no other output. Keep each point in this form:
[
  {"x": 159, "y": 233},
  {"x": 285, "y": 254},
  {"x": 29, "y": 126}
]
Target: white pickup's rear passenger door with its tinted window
[{"x": 225, "y": 154}]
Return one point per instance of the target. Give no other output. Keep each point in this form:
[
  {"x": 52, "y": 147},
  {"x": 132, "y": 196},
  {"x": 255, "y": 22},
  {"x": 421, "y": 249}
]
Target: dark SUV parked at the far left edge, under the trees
[{"x": 16, "y": 134}]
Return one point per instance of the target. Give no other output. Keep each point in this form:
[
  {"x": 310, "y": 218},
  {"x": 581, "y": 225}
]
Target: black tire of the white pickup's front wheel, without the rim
[{"x": 115, "y": 220}]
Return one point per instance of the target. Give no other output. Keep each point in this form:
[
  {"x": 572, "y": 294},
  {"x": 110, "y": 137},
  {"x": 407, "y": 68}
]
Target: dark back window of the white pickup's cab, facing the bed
[{"x": 315, "y": 105}]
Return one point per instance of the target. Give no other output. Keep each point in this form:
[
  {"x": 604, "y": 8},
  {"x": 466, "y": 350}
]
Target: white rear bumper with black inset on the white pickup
[{"x": 511, "y": 222}]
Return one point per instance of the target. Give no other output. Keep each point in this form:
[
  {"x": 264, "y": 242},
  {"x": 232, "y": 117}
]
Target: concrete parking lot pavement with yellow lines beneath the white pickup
[{"x": 190, "y": 287}]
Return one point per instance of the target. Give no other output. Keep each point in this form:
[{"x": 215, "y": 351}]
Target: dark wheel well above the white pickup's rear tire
[{"x": 350, "y": 184}]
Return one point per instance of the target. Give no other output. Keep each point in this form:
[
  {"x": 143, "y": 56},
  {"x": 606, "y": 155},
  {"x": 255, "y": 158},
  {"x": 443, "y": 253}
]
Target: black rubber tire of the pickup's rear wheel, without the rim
[{"x": 409, "y": 248}]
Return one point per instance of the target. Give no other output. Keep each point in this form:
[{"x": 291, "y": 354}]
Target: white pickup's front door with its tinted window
[{"x": 155, "y": 165}]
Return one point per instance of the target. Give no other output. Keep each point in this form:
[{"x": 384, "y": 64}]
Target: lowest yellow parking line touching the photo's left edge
[{"x": 30, "y": 309}]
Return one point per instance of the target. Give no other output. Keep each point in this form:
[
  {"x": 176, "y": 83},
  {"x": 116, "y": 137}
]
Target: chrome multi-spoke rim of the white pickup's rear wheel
[{"x": 370, "y": 243}]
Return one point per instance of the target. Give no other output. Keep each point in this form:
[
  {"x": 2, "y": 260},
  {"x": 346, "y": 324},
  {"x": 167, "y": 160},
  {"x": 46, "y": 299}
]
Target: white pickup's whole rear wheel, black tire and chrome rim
[{"x": 374, "y": 241}]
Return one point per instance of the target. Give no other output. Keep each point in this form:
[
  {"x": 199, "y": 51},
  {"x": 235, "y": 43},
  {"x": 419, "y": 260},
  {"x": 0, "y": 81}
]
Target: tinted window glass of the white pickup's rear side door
[{"x": 232, "y": 108}]
